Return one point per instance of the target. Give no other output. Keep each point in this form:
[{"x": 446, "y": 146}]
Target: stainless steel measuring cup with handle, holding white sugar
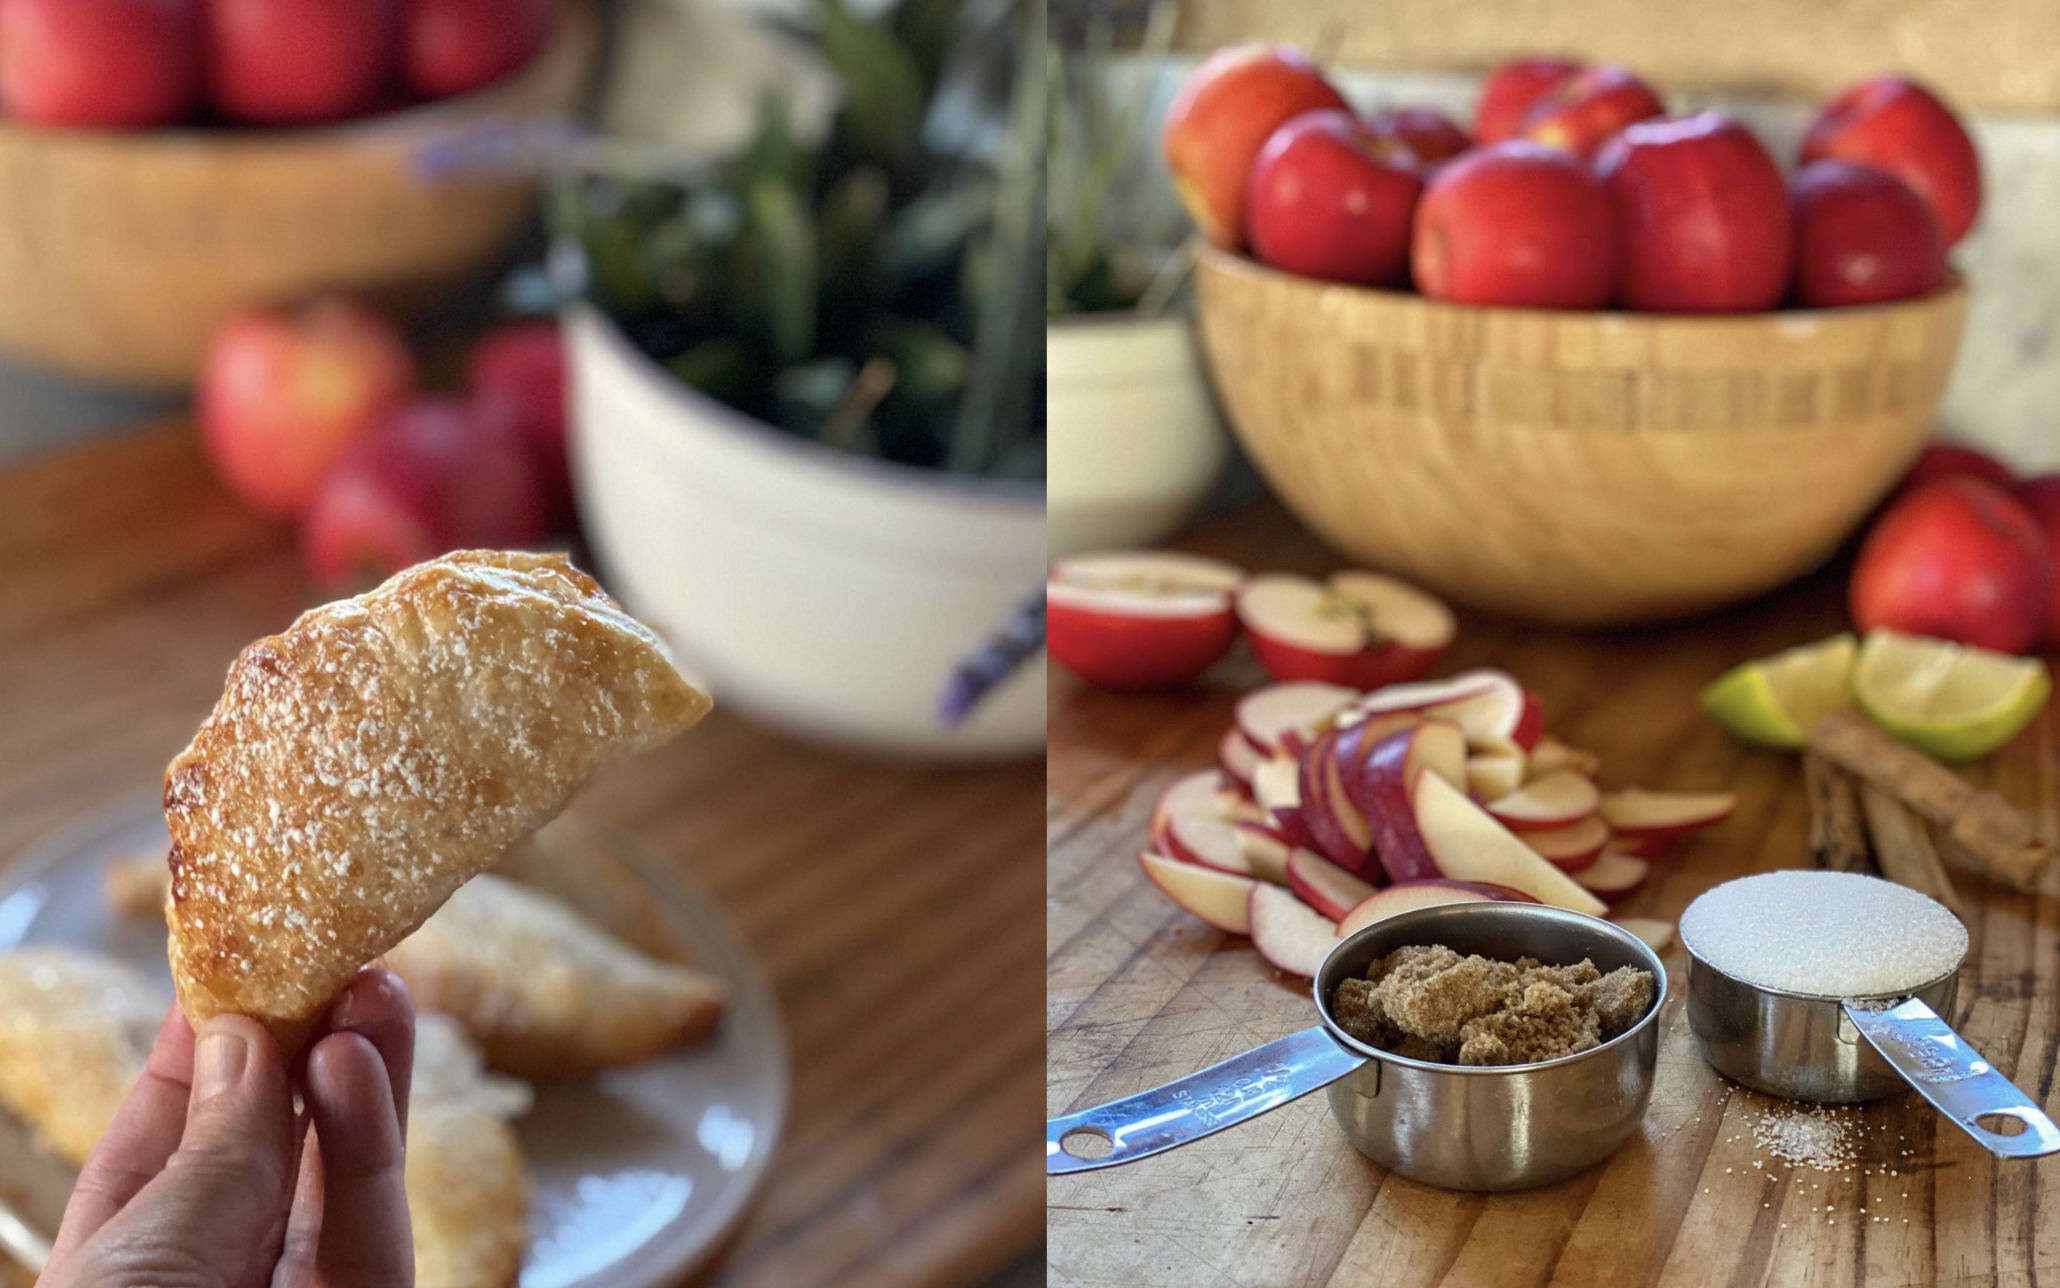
[{"x": 1845, "y": 1050}]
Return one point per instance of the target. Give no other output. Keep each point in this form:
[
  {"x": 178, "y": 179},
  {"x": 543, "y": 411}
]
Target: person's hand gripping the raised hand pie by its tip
[{"x": 209, "y": 1178}]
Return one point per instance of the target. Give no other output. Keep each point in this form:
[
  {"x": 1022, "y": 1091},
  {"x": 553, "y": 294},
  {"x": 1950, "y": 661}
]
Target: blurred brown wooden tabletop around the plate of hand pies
[{"x": 891, "y": 906}]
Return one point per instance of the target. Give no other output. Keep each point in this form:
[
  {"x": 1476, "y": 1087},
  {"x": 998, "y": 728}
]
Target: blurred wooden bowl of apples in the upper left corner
[{"x": 121, "y": 252}]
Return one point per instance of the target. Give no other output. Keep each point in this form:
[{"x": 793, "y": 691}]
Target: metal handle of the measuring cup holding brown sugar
[{"x": 1192, "y": 1108}]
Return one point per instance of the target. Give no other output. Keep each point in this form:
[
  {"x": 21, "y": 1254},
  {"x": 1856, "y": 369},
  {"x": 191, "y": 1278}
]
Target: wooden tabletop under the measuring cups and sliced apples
[{"x": 1140, "y": 992}]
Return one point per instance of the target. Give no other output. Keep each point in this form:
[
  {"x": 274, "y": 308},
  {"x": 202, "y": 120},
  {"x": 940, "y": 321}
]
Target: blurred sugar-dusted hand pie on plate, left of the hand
[{"x": 75, "y": 1038}]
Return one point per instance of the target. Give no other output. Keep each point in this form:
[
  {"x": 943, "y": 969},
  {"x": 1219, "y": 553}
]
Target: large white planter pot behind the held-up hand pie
[{"x": 825, "y": 595}]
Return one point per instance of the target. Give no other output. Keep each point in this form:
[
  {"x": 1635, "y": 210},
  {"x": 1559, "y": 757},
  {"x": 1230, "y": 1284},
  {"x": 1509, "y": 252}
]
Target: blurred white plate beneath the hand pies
[{"x": 636, "y": 1176}]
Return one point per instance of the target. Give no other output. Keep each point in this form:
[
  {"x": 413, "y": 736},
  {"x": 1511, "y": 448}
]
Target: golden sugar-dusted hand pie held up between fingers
[{"x": 384, "y": 751}]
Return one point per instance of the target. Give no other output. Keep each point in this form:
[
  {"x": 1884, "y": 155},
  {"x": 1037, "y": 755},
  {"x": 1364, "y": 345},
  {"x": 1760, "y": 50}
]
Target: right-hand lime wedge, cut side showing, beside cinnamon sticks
[{"x": 1952, "y": 702}]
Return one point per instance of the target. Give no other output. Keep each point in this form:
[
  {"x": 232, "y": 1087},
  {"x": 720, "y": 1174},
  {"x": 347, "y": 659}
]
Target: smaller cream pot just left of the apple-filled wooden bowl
[{"x": 1134, "y": 442}]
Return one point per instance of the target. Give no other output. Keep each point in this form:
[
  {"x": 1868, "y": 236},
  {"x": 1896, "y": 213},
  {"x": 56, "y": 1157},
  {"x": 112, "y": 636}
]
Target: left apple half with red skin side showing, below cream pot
[{"x": 1140, "y": 619}]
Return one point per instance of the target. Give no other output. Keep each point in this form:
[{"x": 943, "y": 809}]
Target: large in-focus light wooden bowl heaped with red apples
[{"x": 1581, "y": 469}]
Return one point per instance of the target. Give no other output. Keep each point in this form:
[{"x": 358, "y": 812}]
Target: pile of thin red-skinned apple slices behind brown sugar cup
[{"x": 1336, "y": 809}]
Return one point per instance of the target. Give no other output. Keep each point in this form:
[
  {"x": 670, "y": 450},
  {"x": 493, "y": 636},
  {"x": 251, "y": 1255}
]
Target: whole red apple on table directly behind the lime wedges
[{"x": 1956, "y": 560}]
